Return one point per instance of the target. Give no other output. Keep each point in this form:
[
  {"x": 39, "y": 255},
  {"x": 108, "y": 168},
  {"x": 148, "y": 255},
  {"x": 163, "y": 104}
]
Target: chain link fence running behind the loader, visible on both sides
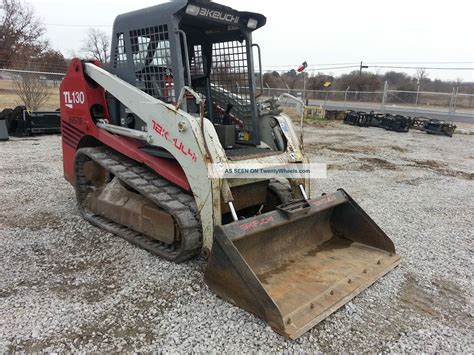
[{"x": 41, "y": 90}]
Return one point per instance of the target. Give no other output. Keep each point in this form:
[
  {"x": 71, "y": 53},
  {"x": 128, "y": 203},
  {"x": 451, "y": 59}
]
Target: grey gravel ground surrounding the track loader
[{"x": 67, "y": 286}]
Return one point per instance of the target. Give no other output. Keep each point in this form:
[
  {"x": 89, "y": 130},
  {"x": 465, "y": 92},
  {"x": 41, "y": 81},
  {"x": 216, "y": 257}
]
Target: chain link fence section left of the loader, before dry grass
[{"x": 37, "y": 90}]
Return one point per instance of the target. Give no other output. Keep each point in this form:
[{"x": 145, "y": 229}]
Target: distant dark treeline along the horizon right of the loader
[{"x": 365, "y": 81}]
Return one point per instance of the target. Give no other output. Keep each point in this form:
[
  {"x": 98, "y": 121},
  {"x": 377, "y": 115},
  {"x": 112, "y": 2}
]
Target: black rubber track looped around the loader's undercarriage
[{"x": 179, "y": 204}]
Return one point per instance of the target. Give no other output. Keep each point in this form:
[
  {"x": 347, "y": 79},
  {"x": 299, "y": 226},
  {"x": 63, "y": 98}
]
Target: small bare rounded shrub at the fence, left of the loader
[{"x": 32, "y": 89}]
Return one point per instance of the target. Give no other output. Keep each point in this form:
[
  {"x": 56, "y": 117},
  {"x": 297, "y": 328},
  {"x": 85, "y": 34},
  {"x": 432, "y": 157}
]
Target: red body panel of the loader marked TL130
[{"x": 77, "y": 96}]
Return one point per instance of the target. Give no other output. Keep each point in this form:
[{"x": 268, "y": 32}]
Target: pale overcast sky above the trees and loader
[{"x": 412, "y": 33}]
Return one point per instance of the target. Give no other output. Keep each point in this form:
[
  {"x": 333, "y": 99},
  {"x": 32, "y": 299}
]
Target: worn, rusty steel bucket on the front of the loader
[{"x": 295, "y": 269}]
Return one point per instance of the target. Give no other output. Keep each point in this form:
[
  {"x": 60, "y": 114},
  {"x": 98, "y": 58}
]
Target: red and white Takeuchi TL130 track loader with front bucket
[{"x": 138, "y": 140}]
